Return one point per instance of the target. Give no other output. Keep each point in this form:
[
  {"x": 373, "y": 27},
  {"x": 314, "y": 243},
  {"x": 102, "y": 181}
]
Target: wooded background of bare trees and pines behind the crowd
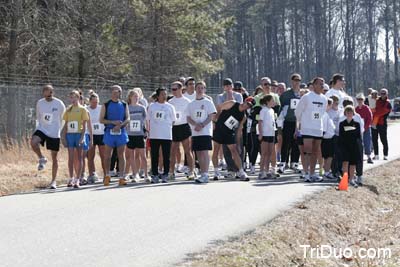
[{"x": 78, "y": 43}]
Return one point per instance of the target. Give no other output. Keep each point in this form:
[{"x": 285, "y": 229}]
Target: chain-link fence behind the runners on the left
[{"x": 18, "y": 99}]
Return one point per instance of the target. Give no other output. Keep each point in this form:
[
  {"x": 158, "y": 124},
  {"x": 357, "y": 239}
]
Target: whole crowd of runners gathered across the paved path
[{"x": 307, "y": 123}]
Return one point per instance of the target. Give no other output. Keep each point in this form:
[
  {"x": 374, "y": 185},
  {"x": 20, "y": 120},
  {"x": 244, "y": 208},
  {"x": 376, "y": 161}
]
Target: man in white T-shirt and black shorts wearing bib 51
[{"x": 200, "y": 113}]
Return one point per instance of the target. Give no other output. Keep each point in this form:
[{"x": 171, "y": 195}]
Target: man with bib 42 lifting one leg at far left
[{"x": 49, "y": 112}]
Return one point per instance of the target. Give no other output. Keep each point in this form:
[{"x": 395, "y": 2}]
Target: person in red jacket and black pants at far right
[{"x": 382, "y": 110}]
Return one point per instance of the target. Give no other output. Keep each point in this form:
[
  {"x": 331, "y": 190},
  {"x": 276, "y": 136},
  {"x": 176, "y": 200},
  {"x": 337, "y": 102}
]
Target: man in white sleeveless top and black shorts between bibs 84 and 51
[{"x": 181, "y": 131}]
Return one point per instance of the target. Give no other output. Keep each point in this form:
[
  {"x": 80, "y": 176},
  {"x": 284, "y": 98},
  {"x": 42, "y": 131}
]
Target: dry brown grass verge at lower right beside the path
[{"x": 366, "y": 217}]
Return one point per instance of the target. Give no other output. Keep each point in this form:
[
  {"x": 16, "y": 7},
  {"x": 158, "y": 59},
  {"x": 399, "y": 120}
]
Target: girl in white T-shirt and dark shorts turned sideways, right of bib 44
[{"x": 266, "y": 126}]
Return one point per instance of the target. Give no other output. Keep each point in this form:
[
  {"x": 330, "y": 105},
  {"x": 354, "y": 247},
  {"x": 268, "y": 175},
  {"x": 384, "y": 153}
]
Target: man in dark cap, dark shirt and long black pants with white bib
[{"x": 289, "y": 101}]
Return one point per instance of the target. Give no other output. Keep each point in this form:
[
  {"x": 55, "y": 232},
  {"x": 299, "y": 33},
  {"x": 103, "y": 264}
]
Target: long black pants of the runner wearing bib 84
[{"x": 155, "y": 145}]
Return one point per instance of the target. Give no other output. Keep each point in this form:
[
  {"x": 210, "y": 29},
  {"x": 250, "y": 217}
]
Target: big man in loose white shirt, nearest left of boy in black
[{"x": 309, "y": 113}]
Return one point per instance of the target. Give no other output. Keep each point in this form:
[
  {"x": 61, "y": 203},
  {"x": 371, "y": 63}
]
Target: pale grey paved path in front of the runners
[{"x": 141, "y": 225}]
